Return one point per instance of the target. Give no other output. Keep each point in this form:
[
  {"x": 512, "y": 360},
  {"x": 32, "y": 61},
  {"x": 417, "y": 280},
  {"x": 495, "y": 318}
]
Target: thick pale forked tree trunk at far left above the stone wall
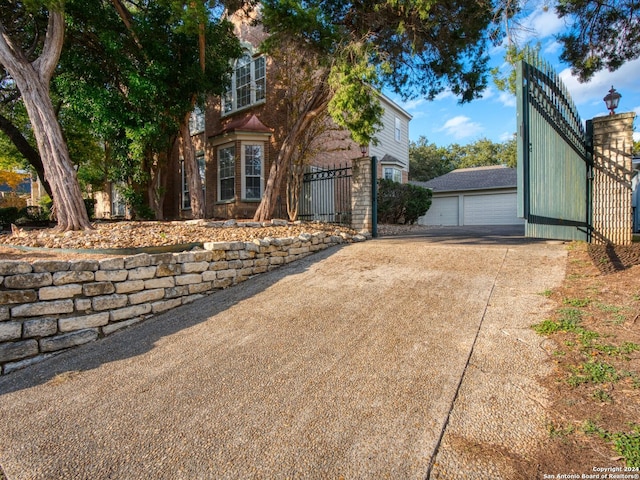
[{"x": 32, "y": 79}]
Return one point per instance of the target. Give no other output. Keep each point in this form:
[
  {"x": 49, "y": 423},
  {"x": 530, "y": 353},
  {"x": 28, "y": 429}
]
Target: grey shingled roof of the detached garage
[{"x": 478, "y": 178}]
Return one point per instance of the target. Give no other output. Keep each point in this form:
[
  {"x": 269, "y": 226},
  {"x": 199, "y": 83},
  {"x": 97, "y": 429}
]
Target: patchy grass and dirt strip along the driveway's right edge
[{"x": 596, "y": 368}]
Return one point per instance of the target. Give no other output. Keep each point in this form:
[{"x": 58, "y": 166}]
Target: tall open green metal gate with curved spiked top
[{"x": 554, "y": 156}]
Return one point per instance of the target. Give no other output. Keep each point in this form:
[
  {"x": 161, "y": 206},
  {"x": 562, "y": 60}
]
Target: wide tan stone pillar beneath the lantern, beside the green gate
[{"x": 612, "y": 154}]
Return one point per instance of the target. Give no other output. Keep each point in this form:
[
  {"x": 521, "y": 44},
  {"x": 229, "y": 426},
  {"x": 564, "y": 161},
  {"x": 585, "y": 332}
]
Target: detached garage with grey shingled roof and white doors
[{"x": 473, "y": 196}]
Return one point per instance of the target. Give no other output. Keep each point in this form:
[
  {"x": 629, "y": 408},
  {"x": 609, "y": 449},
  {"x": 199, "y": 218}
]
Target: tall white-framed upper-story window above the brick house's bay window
[{"x": 248, "y": 84}]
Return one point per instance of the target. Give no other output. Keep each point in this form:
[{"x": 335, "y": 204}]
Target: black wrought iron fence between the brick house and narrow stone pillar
[{"x": 326, "y": 195}]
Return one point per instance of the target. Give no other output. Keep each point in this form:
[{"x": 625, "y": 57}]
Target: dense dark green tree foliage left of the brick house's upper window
[{"x": 133, "y": 84}]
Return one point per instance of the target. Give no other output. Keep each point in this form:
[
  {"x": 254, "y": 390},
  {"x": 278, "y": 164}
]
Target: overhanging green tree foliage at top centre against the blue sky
[{"x": 405, "y": 46}]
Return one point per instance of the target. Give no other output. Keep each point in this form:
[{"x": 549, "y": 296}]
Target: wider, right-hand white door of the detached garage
[{"x": 495, "y": 209}]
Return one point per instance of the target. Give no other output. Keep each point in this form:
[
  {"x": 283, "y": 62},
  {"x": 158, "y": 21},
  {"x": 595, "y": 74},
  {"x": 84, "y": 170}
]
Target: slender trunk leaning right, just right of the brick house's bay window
[{"x": 316, "y": 105}]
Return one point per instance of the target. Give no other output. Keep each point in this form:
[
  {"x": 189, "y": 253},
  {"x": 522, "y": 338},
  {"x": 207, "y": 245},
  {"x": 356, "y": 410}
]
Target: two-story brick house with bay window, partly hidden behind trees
[{"x": 238, "y": 135}]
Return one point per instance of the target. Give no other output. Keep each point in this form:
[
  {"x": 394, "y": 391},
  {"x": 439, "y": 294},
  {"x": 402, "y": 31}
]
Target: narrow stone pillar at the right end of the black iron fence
[{"x": 361, "y": 196}]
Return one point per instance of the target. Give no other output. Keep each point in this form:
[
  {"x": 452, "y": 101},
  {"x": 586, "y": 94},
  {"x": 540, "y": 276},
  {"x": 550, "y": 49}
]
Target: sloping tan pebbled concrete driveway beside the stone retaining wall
[{"x": 394, "y": 358}]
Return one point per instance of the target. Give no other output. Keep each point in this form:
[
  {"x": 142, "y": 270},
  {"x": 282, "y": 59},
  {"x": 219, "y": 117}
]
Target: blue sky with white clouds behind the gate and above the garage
[{"x": 443, "y": 121}]
